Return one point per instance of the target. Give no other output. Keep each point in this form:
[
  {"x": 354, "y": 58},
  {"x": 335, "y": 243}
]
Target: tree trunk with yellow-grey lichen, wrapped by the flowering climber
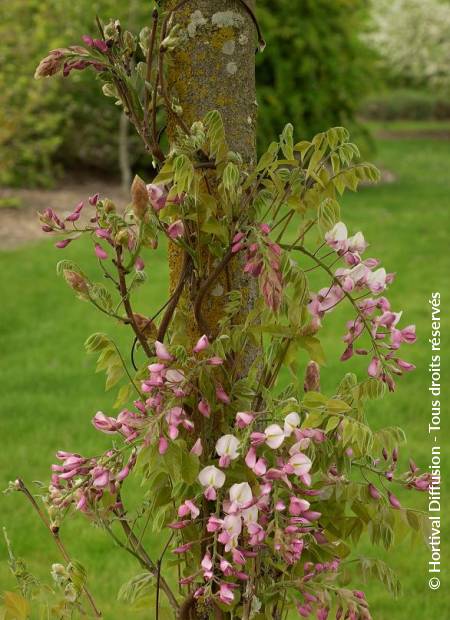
[{"x": 215, "y": 70}]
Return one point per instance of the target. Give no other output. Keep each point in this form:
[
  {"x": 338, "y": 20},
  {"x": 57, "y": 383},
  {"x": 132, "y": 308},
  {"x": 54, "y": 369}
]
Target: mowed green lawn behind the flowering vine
[{"x": 49, "y": 391}]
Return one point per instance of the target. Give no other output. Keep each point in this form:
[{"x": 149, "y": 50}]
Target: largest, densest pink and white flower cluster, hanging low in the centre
[{"x": 268, "y": 512}]
